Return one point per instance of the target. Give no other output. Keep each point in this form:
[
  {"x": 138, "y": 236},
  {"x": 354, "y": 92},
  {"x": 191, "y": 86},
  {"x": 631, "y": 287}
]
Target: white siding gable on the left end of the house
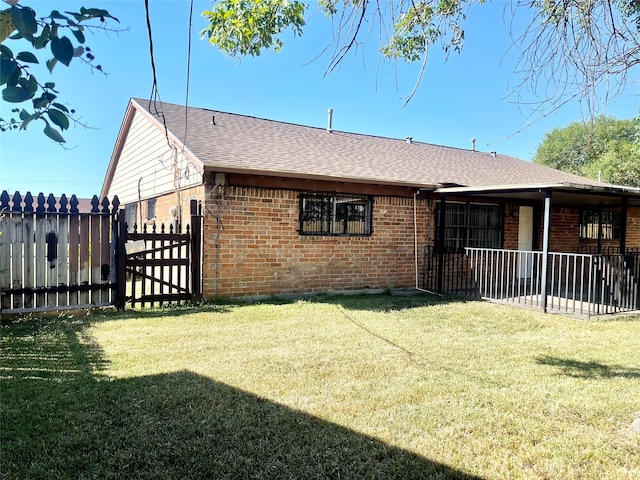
[{"x": 147, "y": 167}]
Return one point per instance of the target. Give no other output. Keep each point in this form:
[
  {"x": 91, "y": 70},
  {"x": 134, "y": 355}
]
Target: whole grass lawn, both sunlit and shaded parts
[{"x": 374, "y": 386}]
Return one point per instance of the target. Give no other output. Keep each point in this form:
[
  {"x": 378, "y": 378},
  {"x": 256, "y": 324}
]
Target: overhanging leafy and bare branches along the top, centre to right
[{"x": 571, "y": 49}]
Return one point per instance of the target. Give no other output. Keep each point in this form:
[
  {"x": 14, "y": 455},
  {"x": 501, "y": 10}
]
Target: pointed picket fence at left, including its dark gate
[{"x": 54, "y": 256}]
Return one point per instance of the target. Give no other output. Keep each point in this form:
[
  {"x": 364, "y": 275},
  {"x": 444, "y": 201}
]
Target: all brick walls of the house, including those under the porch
[{"x": 252, "y": 245}]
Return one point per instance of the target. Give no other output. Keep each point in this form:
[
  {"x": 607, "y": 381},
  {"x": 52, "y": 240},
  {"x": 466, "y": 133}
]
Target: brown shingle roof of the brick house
[{"x": 239, "y": 143}]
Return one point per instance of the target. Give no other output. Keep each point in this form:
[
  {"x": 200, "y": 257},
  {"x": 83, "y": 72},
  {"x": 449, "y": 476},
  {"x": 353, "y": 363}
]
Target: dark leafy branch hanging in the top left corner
[{"x": 63, "y": 36}]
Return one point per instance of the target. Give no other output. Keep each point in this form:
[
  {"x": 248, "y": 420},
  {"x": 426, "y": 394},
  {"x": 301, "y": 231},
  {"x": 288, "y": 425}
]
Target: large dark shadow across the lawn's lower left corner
[{"x": 61, "y": 418}]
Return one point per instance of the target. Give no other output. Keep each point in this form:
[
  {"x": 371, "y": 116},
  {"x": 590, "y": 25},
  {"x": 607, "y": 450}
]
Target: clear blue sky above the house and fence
[{"x": 463, "y": 98}]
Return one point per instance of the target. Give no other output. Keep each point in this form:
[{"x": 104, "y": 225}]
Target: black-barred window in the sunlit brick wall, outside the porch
[{"x": 335, "y": 214}]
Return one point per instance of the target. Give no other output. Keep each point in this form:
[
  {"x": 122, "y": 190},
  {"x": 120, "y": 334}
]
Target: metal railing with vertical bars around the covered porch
[{"x": 583, "y": 284}]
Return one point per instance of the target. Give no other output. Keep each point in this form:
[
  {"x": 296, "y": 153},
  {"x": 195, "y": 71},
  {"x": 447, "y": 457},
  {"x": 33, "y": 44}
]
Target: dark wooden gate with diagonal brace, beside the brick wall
[{"x": 158, "y": 265}]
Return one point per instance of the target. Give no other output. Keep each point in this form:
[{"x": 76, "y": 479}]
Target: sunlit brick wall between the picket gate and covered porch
[{"x": 255, "y": 248}]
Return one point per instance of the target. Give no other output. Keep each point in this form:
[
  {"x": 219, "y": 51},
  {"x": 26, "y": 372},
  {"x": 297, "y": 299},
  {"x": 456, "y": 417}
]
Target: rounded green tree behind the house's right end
[{"x": 606, "y": 149}]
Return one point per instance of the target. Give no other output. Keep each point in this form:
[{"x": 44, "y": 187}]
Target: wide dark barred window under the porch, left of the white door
[{"x": 470, "y": 225}]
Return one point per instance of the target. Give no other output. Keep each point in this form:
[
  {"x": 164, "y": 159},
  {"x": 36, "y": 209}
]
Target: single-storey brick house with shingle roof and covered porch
[{"x": 293, "y": 209}]
